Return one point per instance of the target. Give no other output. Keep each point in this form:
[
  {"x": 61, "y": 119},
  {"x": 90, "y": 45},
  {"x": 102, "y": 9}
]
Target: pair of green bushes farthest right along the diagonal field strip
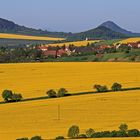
[{"x": 114, "y": 87}]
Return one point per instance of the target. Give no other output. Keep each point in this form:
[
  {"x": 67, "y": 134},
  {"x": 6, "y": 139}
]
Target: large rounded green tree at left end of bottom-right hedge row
[{"x": 73, "y": 131}]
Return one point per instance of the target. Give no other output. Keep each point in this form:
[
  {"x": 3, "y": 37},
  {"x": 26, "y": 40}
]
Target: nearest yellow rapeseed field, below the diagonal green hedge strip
[{"x": 98, "y": 111}]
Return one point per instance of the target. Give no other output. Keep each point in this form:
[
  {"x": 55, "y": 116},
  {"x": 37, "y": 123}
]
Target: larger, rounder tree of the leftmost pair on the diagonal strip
[{"x": 7, "y": 95}]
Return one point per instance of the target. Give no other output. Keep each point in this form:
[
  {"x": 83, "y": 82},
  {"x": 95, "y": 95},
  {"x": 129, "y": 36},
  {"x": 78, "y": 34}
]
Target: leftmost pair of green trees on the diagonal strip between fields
[{"x": 9, "y": 96}]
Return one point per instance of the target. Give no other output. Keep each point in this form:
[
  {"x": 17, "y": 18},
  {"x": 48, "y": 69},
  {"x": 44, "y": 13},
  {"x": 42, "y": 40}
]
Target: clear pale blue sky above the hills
[{"x": 71, "y": 15}]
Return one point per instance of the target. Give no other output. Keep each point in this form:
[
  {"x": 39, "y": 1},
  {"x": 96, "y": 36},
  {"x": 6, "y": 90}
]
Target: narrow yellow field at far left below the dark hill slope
[{"x": 27, "y": 37}]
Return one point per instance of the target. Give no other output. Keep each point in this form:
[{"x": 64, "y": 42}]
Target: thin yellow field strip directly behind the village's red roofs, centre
[{"x": 77, "y": 43}]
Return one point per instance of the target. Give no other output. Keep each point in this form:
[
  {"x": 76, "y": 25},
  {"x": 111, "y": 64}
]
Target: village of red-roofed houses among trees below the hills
[{"x": 57, "y": 51}]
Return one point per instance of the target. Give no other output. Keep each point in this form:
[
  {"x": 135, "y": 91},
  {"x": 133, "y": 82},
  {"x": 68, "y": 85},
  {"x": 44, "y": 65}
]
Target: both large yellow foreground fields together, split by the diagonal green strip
[{"x": 101, "y": 111}]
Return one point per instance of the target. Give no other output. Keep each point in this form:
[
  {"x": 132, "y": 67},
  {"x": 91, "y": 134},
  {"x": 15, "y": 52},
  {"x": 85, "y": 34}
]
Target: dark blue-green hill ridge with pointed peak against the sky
[{"x": 107, "y": 30}]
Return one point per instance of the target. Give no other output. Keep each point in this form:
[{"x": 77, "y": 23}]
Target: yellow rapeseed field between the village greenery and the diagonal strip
[{"x": 34, "y": 79}]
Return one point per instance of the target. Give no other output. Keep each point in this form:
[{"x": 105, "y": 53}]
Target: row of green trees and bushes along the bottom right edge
[{"x": 74, "y": 133}]
